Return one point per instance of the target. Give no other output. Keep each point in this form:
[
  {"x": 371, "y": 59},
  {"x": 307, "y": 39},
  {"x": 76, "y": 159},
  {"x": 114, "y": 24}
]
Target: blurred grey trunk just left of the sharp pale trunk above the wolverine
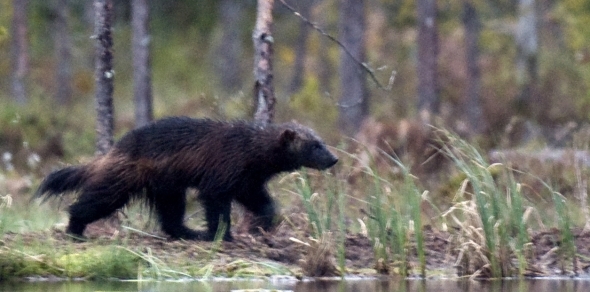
[{"x": 231, "y": 13}]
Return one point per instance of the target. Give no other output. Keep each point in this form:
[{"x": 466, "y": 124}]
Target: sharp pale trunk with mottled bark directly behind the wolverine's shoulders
[{"x": 263, "y": 46}]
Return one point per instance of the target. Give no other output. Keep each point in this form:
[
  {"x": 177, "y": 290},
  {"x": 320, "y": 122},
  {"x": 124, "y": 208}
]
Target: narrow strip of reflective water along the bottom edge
[{"x": 537, "y": 285}]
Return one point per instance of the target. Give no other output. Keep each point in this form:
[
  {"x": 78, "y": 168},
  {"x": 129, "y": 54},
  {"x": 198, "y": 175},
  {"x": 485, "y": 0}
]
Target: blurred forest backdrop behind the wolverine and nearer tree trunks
[{"x": 512, "y": 63}]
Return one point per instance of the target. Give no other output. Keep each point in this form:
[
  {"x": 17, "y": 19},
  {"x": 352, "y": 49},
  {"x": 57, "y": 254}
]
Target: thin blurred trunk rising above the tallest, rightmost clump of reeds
[{"x": 472, "y": 26}]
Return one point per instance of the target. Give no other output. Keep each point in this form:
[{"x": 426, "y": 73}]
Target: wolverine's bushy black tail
[{"x": 61, "y": 181}]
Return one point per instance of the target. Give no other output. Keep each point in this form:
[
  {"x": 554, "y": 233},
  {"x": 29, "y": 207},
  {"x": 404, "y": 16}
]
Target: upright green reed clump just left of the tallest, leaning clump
[{"x": 394, "y": 214}]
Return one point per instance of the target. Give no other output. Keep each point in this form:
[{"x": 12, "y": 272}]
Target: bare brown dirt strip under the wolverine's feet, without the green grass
[{"x": 289, "y": 246}]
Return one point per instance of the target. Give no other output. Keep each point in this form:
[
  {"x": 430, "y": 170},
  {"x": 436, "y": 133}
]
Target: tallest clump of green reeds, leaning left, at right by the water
[{"x": 499, "y": 205}]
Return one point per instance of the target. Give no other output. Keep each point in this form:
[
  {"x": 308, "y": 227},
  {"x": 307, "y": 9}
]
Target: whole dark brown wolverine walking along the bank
[{"x": 157, "y": 163}]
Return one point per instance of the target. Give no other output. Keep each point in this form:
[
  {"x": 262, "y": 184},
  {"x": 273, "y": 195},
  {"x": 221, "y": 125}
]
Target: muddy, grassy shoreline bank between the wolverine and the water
[{"x": 287, "y": 252}]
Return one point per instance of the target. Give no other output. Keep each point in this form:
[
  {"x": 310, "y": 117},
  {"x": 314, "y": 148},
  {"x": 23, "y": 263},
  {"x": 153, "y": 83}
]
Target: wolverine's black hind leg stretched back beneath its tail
[{"x": 93, "y": 205}]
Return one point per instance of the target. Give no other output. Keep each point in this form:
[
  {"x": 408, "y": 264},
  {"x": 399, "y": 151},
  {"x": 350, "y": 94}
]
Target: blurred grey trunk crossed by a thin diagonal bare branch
[{"x": 353, "y": 104}]
